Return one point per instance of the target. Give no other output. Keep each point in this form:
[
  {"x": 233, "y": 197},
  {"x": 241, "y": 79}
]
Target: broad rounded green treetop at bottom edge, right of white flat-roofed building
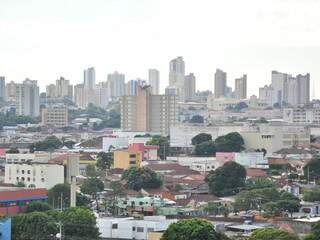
[{"x": 192, "y": 229}]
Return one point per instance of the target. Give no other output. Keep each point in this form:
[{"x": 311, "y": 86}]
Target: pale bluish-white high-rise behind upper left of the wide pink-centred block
[{"x": 116, "y": 84}]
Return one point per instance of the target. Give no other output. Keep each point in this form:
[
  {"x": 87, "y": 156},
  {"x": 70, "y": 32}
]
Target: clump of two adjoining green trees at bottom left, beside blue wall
[{"x": 77, "y": 223}]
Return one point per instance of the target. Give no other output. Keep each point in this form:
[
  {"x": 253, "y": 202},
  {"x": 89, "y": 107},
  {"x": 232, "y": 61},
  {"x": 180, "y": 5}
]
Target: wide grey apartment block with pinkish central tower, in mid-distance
[{"x": 148, "y": 113}]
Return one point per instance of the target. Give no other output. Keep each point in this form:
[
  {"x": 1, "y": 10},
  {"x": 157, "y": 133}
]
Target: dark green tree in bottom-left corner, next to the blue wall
[{"x": 33, "y": 226}]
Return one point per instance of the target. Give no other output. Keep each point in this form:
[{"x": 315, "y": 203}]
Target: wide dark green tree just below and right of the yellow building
[{"x": 144, "y": 177}]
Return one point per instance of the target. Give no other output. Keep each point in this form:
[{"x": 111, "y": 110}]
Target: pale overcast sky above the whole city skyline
[{"x": 46, "y": 39}]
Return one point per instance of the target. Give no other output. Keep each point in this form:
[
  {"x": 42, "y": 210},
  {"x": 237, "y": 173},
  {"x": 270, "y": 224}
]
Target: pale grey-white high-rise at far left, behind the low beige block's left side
[{"x": 27, "y": 98}]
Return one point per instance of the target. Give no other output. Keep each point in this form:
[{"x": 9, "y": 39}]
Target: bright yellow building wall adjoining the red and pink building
[{"x": 121, "y": 159}]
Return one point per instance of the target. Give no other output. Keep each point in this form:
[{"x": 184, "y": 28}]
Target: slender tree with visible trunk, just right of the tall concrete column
[{"x": 92, "y": 186}]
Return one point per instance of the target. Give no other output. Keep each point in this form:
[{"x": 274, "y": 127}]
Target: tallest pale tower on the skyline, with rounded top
[{"x": 176, "y": 76}]
